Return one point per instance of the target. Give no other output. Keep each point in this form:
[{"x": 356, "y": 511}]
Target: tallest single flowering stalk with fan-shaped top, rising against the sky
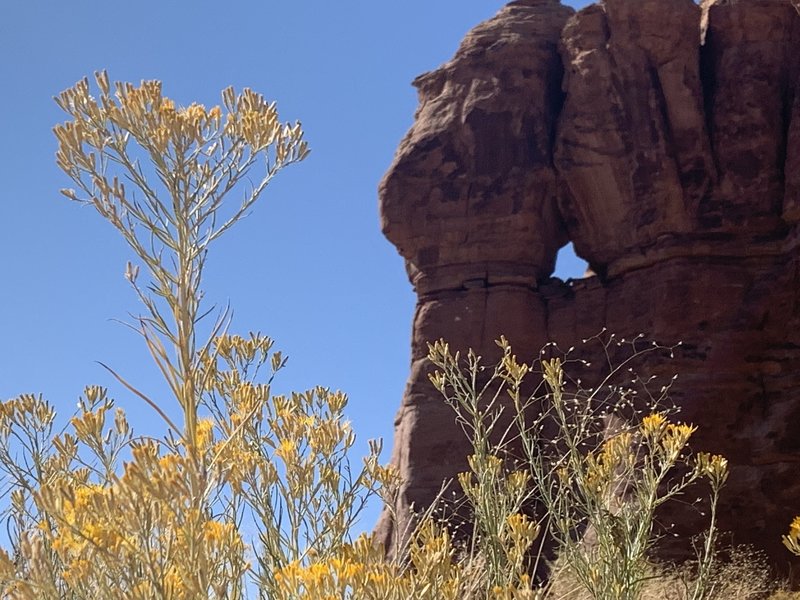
[{"x": 197, "y": 157}]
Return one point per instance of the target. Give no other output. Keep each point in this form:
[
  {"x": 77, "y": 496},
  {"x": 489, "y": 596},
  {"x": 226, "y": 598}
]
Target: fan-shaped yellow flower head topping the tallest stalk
[{"x": 198, "y": 154}]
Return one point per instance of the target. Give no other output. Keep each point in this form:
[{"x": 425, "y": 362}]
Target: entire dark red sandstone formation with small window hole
[{"x": 673, "y": 165}]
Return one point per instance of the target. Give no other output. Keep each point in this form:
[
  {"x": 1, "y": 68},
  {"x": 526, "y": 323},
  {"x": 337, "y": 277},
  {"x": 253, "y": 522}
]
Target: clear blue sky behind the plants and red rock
[{"x": 309, "y": 267}]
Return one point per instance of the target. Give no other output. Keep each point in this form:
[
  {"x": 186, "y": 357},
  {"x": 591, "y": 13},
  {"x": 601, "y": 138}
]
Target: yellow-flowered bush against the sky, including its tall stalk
[{"x": 246, "y": 485}]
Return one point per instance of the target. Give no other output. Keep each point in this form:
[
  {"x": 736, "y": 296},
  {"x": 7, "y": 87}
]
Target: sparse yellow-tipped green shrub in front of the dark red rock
[{"x": 596, "y": 475}]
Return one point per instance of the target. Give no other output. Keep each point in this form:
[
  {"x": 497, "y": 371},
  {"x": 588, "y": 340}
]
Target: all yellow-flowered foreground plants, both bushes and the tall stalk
[{"x": 252, "y": 494}]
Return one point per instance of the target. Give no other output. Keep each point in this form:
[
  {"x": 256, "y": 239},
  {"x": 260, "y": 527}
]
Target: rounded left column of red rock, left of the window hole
[{"x": 466, "y": 202}]
